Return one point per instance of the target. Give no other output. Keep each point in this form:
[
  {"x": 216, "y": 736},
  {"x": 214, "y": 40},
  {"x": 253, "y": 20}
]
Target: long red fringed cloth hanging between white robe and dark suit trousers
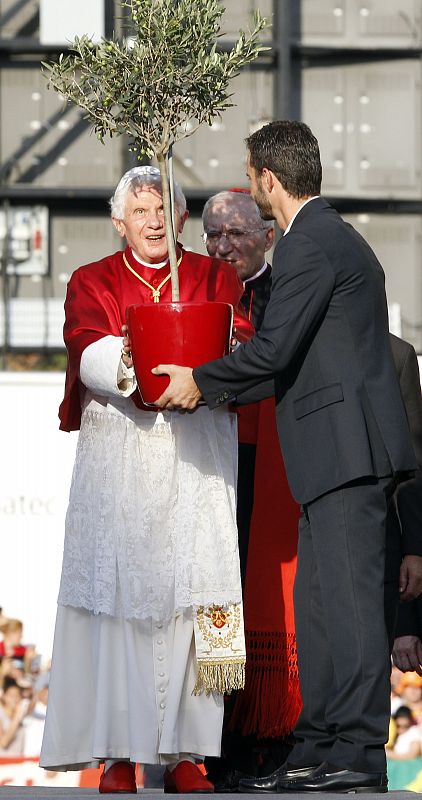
[{"x": 270, "y": 703}]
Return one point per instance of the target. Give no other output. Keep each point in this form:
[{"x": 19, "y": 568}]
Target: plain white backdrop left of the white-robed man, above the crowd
[{"x": 35, "y": 471}]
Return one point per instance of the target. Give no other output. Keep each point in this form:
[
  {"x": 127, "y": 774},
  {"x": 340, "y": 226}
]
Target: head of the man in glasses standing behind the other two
[{"x": 236, "y": 233}]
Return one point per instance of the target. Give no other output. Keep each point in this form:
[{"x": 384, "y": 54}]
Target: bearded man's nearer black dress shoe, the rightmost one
[{"x": 328, "y": 778}]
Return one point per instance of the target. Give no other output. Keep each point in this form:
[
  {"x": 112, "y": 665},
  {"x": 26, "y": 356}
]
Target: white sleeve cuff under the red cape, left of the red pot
[{"x": 102, "y": 370}]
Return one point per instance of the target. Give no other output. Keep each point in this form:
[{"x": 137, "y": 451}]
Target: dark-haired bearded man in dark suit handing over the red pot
[{"x": 324, "y": 351}]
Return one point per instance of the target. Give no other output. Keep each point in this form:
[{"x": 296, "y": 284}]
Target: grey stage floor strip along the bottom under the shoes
[{"x": 51, "y": 793}]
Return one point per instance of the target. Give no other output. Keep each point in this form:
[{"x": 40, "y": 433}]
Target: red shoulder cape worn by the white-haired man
[{"x": 99, "y": 293}]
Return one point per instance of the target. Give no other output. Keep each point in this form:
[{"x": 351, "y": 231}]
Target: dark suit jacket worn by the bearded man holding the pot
[{"x": 324, "y": 350}]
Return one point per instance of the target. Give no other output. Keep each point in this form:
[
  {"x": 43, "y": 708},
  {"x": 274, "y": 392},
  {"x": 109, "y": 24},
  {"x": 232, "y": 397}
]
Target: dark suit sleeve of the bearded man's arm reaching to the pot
[{"x": 303, "y": 282}]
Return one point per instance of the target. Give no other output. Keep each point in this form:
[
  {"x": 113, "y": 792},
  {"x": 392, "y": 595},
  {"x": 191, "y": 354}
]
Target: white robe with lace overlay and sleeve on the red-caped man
[{"x": 150, "y": 537}]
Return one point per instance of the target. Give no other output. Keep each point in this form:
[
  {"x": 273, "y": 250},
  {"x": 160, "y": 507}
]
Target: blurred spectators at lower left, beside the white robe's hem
[{"x": 24, "y": 681}]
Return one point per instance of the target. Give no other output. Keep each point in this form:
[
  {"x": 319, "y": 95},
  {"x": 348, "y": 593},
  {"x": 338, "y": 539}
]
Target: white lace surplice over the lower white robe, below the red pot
[{"x": 151, "y": 523}]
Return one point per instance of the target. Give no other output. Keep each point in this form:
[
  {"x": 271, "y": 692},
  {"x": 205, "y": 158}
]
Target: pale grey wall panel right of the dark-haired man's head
[{"x": 368, "y": 122}]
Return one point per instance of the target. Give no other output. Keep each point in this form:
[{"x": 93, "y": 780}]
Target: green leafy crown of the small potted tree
[{"x": 150, "y": 86}]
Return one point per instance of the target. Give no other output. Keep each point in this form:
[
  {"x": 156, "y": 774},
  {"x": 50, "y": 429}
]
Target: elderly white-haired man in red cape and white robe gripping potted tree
[{"x": 150, "y": 530}]
